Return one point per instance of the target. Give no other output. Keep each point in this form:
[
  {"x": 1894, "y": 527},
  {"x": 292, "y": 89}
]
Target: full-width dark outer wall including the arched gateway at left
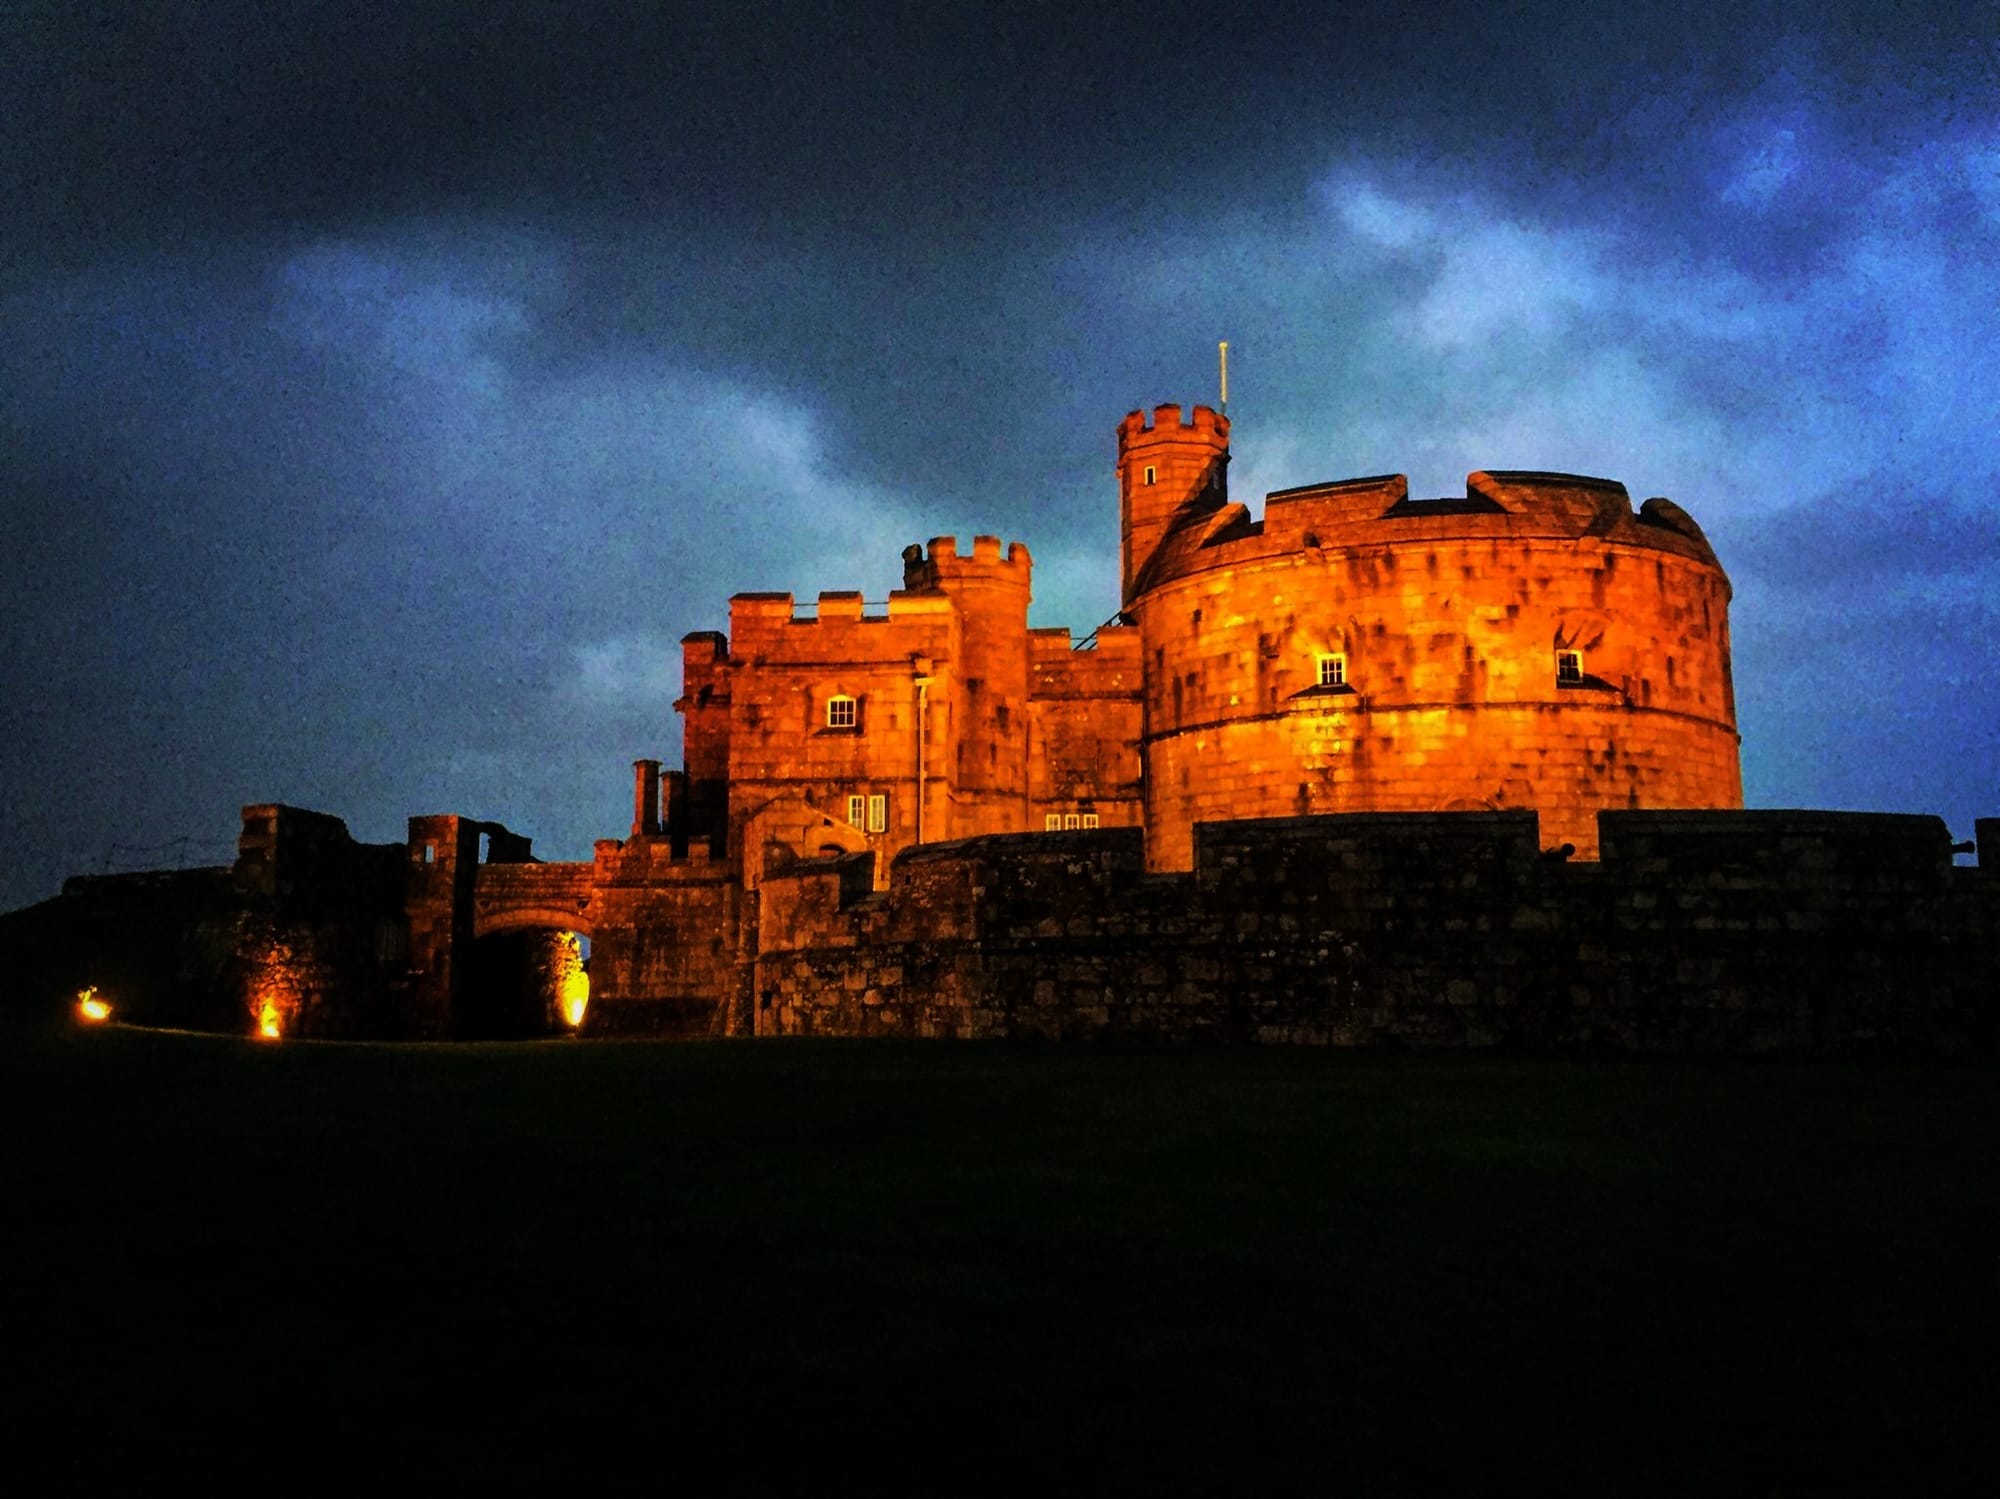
[{"x": 1803, "y": 932}]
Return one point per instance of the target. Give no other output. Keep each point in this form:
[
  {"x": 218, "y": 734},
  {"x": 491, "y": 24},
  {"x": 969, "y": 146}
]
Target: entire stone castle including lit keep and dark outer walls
[{"x": 1369, "y": 768}]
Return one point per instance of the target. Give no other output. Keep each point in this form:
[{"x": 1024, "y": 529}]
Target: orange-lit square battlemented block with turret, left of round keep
[{"x": 937, "y": 715}]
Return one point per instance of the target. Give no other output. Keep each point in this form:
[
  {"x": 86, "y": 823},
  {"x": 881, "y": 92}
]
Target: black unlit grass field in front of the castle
[{"x": 945, "y": 1268}]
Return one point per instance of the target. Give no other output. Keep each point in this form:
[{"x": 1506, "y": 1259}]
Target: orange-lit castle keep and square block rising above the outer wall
[{"x": 1535, "y": 645}]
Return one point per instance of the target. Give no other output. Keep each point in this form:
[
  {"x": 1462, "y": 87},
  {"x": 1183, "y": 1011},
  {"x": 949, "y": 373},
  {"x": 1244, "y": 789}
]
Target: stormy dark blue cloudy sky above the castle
[{"x": 387, "y": 389}]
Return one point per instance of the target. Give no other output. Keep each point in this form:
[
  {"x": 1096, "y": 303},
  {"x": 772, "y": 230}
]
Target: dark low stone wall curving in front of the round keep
[{"x": 1695, "y": 932}]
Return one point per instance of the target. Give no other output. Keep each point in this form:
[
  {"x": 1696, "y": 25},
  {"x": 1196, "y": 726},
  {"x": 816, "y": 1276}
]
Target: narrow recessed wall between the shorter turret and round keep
[{"x": 1085, "y": 727}]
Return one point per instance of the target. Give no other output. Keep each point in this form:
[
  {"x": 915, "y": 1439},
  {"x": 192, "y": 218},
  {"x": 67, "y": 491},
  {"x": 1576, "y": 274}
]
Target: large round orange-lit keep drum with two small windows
[{"x": 1447, "y": 621}]
